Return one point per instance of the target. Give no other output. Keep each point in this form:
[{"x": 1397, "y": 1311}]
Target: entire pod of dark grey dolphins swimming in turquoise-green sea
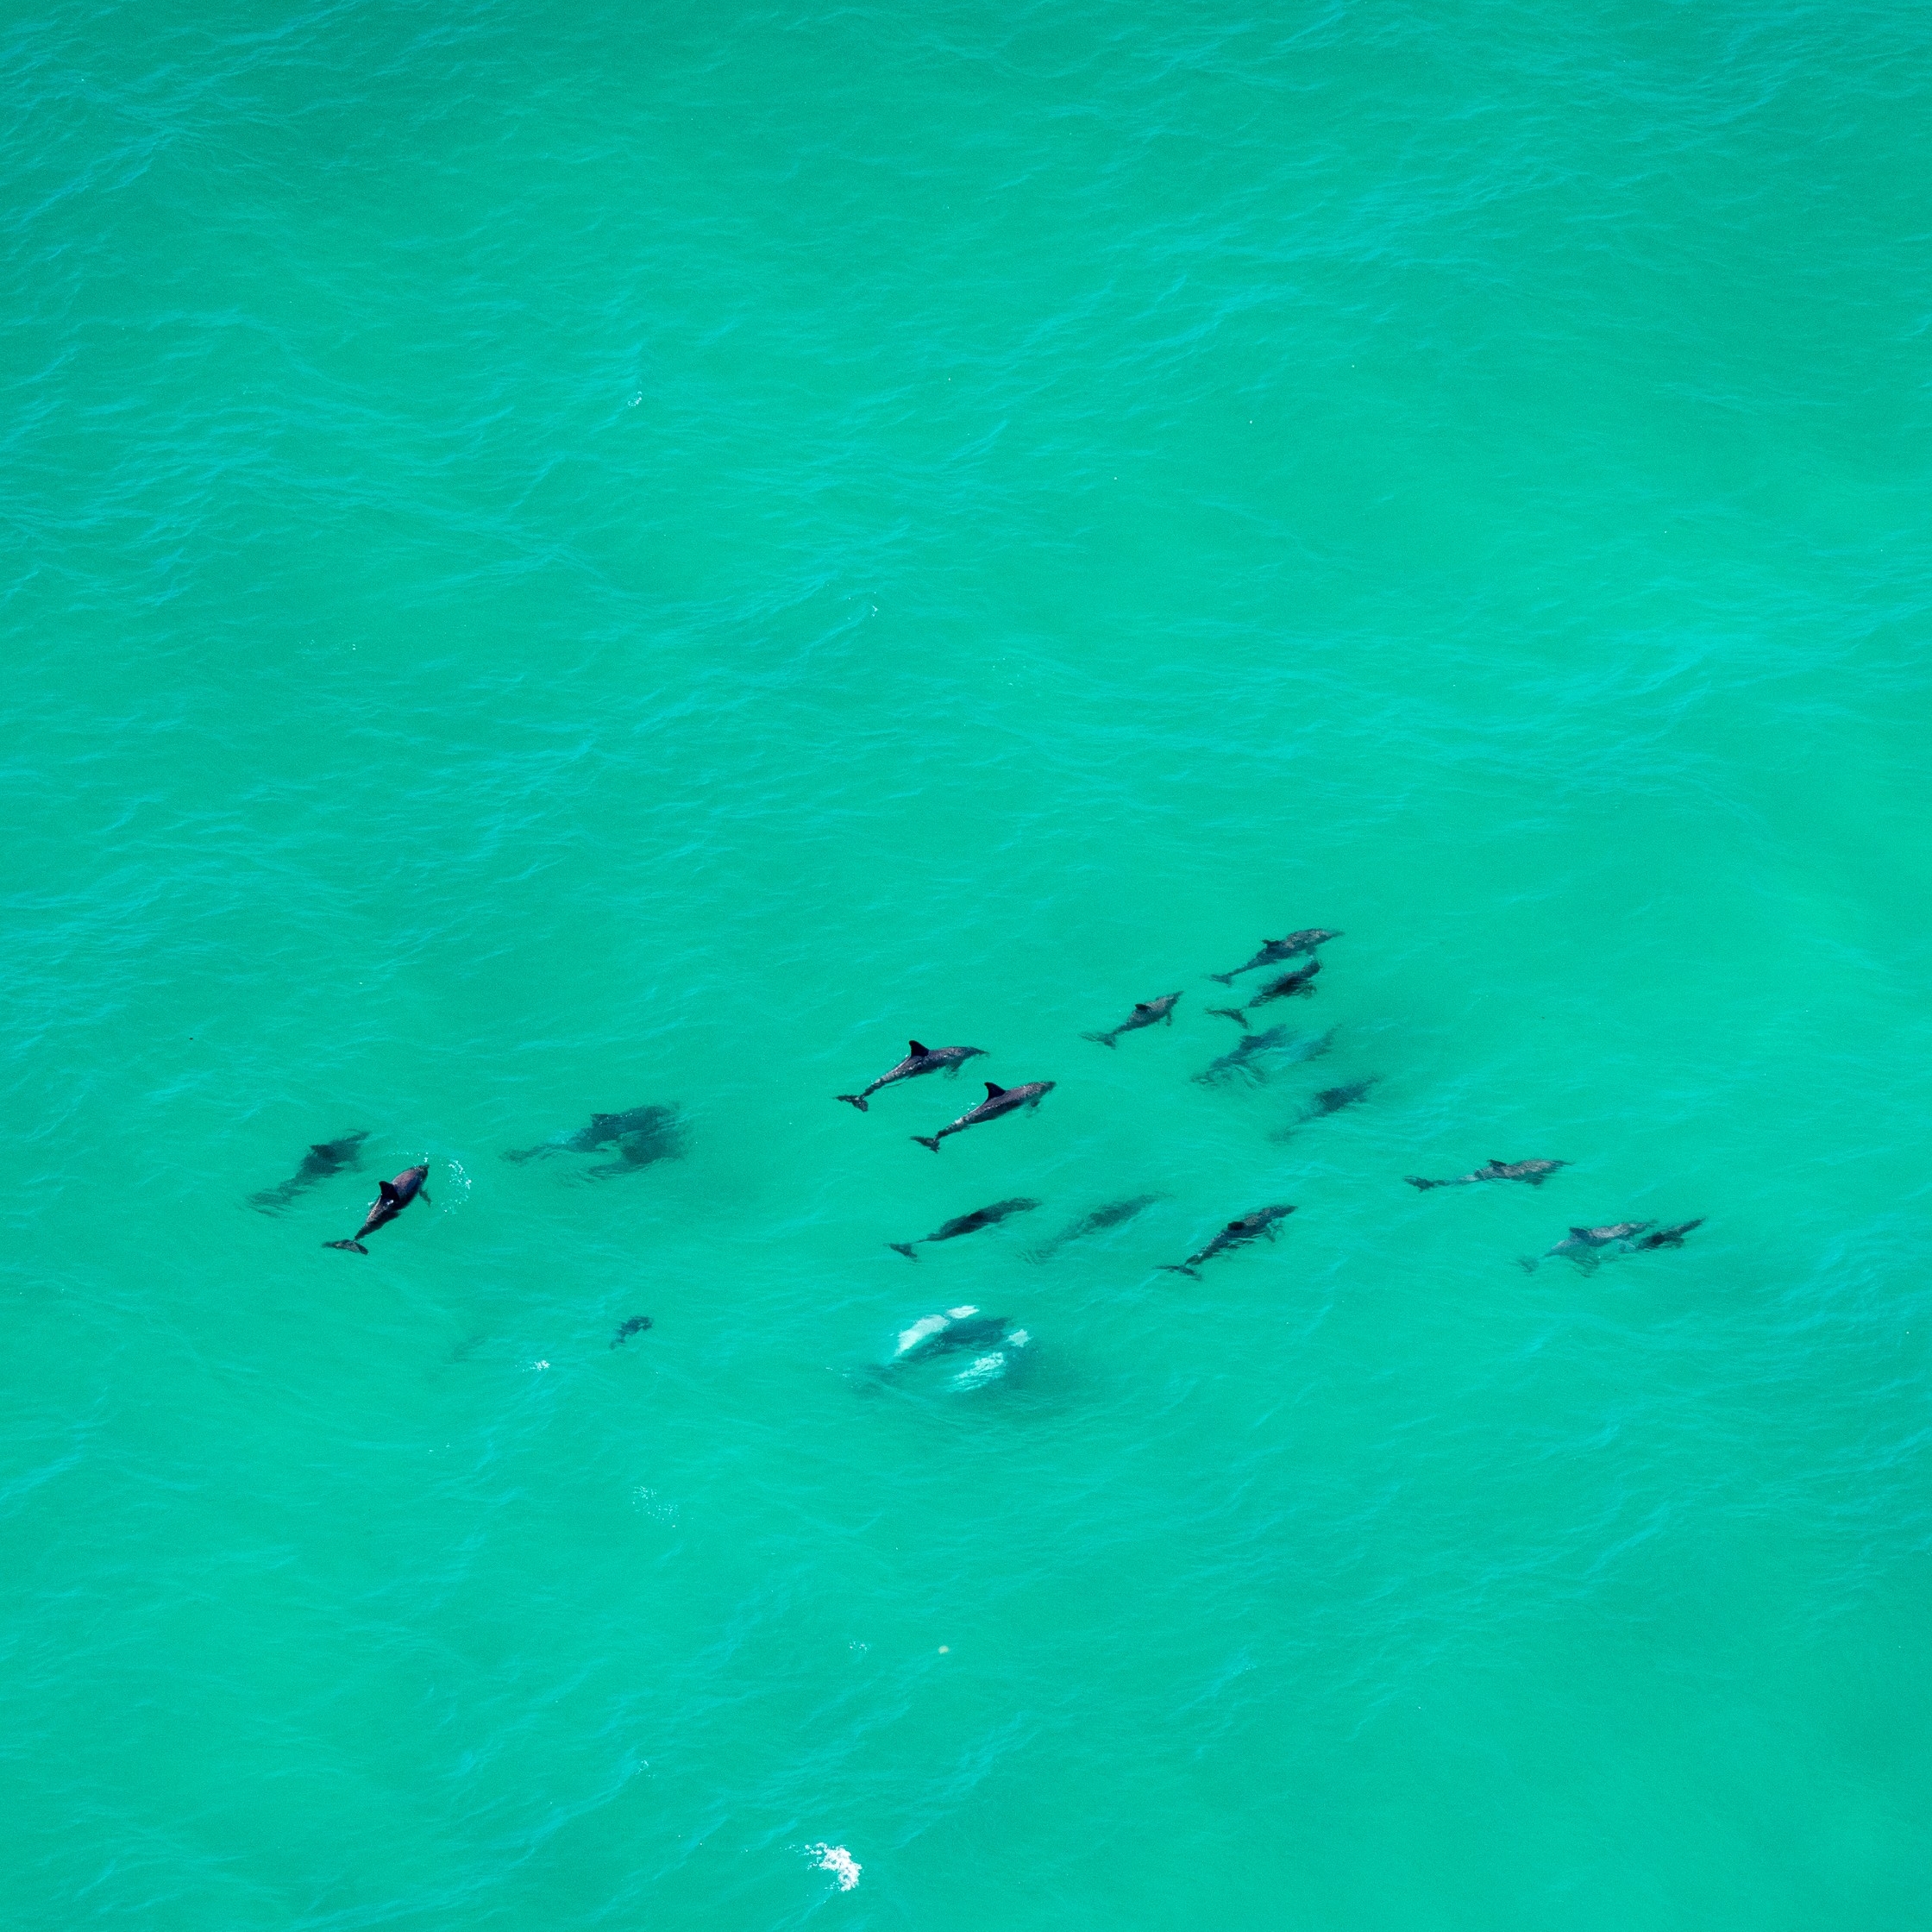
[{"x": 646, "y": 1135}]
